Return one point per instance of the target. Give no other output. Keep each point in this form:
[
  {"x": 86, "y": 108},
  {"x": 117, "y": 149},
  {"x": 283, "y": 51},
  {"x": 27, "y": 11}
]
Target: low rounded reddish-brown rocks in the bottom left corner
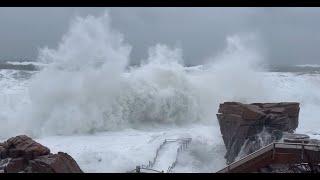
[{"x": 22, "y": 154}]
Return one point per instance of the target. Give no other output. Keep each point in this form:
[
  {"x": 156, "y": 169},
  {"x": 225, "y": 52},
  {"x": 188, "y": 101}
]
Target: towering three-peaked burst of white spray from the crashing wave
[{"x": 86, "y": 86}]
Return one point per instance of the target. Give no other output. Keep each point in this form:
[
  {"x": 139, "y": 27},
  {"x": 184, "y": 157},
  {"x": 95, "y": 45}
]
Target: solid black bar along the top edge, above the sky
[{"x": 159, "y": 3}]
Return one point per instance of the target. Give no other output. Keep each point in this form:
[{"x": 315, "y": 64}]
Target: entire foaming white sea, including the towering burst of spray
[{"x": 84, "y": 99}]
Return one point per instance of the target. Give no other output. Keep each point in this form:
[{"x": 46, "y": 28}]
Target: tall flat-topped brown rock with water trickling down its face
[{"x": 245, "y": 126}]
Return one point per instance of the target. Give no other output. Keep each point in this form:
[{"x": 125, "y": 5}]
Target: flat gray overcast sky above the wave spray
[{"x": 290, "y": 35}]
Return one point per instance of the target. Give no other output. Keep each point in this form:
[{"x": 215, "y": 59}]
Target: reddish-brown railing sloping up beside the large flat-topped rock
[{"x": 273, "y": 146}]
